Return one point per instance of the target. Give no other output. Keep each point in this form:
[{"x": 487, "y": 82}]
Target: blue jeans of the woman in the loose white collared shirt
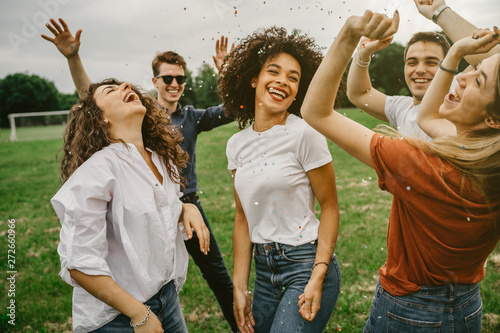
[{"x": 165, "y": 305}]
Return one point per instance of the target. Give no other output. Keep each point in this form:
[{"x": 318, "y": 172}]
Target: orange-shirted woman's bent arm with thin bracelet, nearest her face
[{"x": 429, "y": 119}]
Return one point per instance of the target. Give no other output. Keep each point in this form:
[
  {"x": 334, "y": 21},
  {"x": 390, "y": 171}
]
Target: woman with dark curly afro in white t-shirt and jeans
[{"x": 280, "y": 165}]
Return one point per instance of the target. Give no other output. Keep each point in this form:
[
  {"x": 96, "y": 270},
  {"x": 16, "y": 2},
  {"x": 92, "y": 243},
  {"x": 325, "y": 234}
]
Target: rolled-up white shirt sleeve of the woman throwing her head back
[{"x": 81, "y": 204}]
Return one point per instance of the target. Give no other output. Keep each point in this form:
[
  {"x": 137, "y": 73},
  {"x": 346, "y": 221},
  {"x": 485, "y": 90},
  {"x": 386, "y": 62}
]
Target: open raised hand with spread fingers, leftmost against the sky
[{"x": 65, "y": 42}]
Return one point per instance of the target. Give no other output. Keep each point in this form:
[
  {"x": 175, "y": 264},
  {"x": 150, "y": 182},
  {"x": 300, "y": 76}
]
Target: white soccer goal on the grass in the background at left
[{"x": 43, "y": 121}]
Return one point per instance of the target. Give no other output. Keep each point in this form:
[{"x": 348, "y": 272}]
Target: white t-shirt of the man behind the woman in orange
[{"x": 402, "y": 115}]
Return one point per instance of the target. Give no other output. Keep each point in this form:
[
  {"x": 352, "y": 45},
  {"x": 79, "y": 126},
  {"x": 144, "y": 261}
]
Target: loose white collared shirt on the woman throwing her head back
[{"x": 118, "y": 220}]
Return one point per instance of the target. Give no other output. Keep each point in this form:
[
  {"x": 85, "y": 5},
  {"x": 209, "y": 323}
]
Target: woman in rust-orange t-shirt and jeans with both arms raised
[{"x": 445, "y": 213}]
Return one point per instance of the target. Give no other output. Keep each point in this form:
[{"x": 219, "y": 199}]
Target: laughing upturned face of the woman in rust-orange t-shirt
[{"x": 466, "y": 106}]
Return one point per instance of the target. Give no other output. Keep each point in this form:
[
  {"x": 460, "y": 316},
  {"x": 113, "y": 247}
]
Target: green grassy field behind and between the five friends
[{"x": 29, "y": 178}]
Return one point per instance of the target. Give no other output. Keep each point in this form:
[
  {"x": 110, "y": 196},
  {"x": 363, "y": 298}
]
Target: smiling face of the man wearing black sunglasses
[{"x": 169, "y": 94}]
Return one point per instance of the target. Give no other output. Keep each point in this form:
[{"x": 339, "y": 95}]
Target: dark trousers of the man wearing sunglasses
[{"x": 213, "y": 268}]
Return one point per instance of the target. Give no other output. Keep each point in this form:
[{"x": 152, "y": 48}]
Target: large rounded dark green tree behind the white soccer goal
[{"x": 21, "y": 92}]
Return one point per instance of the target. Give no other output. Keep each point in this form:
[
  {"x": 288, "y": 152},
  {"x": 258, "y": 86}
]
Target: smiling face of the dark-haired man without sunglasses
[{"x": 421, "y": 64}]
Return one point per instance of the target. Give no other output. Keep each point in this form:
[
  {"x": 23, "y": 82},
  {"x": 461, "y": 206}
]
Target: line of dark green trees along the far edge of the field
[{"x": 22, "y": 92}]
